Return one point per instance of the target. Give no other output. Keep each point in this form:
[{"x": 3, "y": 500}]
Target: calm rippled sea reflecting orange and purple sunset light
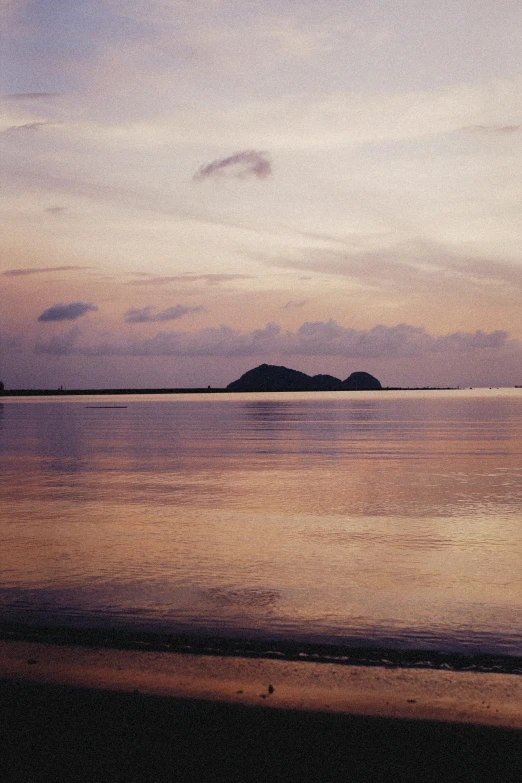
[{"x": 386, "y": 518}]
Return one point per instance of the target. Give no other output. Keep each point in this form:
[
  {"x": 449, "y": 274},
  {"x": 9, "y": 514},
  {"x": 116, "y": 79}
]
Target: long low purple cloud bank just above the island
[{"x": 320, "y": 338}]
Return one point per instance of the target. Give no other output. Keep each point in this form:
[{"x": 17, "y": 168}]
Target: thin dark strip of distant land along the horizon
[{"x": 205, "y": 390}]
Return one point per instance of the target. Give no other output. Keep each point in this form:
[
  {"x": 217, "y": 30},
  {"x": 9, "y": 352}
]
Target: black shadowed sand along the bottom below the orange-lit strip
[{"x": 62, "y": 733}]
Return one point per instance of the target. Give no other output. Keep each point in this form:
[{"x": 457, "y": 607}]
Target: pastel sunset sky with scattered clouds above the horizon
[{"x": 191, "y": 188}]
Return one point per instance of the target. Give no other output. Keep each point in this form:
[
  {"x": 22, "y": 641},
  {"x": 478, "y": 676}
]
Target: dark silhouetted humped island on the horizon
[{"x": 269, "y": 377}]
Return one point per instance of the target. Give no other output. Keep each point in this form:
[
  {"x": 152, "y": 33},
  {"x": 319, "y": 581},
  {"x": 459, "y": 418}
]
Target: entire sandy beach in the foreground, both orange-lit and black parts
[{"x": 80, "y": 714}]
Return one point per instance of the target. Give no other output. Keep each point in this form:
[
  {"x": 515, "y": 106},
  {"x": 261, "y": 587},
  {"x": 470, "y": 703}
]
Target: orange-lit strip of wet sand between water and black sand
[{"x": 416, "y": 694}]
